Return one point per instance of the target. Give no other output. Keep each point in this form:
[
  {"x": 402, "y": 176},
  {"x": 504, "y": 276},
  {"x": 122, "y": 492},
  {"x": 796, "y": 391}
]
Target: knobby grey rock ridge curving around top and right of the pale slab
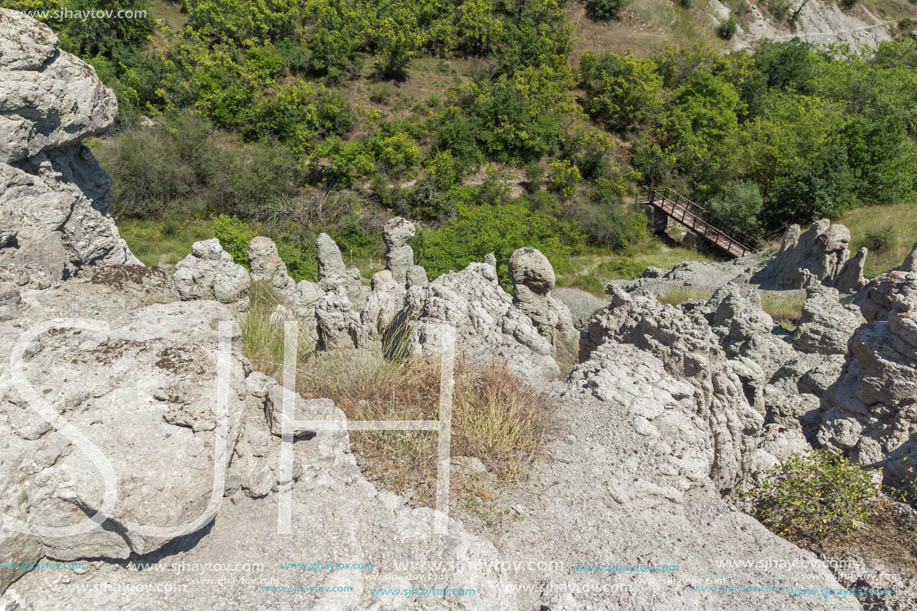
[{"x": 690, "y": 351}]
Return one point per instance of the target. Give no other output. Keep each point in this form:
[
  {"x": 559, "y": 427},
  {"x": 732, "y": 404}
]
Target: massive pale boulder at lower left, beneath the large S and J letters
[{"x": 143, "y": 392}]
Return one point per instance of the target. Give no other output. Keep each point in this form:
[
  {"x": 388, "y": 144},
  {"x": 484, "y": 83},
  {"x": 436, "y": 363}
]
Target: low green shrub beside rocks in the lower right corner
[{"x": 815, "y": 495}]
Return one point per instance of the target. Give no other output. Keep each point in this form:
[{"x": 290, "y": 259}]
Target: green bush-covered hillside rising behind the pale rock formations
[{"x": 489, "y": 122}]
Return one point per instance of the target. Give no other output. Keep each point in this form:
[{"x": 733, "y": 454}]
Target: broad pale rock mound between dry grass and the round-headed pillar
[{"x": 488, "y": 327}]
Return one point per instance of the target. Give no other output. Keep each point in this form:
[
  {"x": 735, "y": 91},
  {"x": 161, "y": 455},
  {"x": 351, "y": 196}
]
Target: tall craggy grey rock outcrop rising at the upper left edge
[{"x": 54, "y": 199}]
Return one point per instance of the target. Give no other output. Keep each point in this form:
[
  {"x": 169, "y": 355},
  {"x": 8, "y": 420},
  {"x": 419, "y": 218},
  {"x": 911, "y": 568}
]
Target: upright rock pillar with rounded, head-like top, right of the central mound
[{"x": 533, "y": 278}]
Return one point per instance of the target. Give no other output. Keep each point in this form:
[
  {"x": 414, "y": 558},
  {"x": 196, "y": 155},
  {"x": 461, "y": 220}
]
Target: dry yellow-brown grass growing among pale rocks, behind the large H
[{"x": 496, "y": 417}]
